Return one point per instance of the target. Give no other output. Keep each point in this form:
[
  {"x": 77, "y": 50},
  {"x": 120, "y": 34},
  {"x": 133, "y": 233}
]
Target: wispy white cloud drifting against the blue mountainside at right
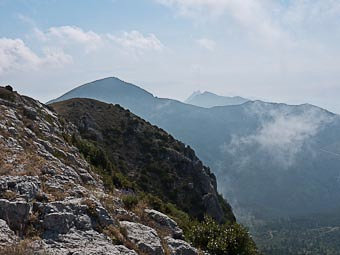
[{"x": 280, "y": 136}]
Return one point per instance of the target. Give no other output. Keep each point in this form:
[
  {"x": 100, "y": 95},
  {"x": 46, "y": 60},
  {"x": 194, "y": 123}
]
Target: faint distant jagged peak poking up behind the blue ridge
[{"x": 208, "y": 99}]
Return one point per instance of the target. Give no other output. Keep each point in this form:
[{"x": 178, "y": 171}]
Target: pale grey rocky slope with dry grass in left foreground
[{"x": 51, "y": 202}]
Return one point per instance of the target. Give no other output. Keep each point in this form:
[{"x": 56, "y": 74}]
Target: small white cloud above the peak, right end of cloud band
[{"x": 136, "y": 41}]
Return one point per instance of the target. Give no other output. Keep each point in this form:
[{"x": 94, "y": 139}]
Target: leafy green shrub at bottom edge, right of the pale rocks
[{"x": 226, "y": 239}]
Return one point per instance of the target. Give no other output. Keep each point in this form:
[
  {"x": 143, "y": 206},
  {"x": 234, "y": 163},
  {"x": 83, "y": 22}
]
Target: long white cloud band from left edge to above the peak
[{"x": 61, "y": 45}]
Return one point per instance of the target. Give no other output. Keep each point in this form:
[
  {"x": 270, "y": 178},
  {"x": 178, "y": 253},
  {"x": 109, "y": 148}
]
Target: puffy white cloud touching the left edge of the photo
[{"x": 15, "y": 55}]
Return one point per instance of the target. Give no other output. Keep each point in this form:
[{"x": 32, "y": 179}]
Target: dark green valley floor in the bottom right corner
[{"x": 313, "y": 234}]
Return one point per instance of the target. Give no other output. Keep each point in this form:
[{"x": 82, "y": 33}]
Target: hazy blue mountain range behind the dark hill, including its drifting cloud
[{"x": 271, "y": 160}]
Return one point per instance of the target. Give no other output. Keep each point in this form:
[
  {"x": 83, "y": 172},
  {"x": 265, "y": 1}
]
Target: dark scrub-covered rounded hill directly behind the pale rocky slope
[{"x": 135, "y": 155}]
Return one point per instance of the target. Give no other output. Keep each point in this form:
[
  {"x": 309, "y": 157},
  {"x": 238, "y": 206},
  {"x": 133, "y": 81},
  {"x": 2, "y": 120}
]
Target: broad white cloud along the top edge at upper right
[{"x": 268, "y": 21}]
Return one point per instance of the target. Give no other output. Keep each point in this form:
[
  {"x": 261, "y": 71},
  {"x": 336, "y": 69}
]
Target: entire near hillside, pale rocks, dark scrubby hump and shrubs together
[{"x": 99, "y": 180}]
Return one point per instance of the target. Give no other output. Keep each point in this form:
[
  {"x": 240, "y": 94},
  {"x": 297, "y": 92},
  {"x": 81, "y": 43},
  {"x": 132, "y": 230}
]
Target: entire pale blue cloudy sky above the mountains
[{"x": 275, "y": 50}]
